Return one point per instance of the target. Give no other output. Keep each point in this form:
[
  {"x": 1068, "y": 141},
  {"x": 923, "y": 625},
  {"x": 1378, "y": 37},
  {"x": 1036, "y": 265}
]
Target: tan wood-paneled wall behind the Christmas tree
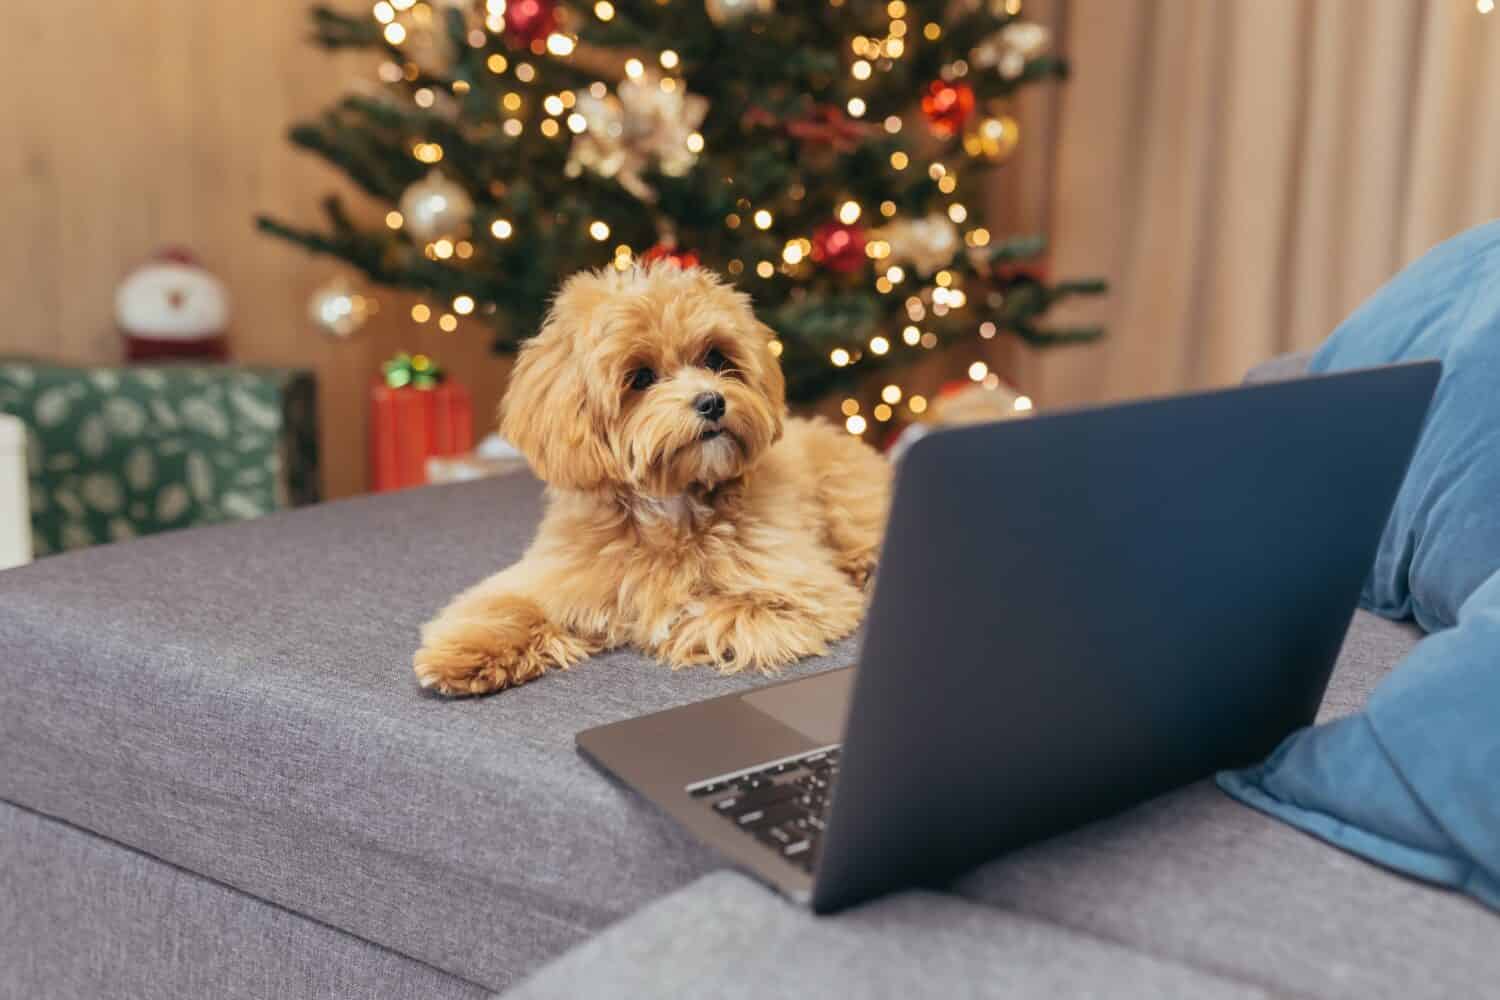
[{"x": 131, "y": 127}]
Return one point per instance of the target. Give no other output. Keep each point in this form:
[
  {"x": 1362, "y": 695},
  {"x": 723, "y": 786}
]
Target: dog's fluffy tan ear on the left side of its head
[{"x": 547, "y": 412}]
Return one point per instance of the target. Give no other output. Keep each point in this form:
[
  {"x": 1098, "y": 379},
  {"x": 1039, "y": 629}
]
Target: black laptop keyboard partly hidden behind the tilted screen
[{"x": 782, "y": 804}]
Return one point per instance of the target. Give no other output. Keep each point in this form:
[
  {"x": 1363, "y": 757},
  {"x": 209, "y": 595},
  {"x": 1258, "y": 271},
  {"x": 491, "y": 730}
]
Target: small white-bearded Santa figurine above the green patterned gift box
[{"x": 172, "y": 308}]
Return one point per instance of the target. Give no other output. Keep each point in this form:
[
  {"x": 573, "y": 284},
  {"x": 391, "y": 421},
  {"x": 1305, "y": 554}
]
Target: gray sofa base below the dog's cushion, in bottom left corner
[{"x": 85, "y": 918}]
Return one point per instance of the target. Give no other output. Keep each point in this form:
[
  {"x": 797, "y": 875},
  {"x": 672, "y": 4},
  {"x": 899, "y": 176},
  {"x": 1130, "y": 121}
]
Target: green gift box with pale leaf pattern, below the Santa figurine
[{"x": 124, "y": 452}]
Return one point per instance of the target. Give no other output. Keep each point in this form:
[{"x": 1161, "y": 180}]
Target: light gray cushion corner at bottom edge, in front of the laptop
[{"x": 727, "y": 938}]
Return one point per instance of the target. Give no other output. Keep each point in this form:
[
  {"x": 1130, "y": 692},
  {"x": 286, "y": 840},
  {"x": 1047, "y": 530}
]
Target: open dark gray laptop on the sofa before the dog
[{"x": 1073, "y": 614}]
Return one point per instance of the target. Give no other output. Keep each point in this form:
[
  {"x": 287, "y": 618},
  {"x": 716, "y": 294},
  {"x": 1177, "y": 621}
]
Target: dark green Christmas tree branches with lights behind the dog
[{"x": 764, "y": 79}]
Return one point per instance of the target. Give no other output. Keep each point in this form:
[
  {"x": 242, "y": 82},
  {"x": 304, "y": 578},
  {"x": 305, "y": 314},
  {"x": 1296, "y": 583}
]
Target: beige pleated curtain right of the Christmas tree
[{"x": 1247, "y": 172}]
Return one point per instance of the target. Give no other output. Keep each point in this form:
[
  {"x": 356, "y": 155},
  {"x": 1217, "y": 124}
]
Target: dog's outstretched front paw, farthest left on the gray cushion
[{"x": 505, "y": 644}]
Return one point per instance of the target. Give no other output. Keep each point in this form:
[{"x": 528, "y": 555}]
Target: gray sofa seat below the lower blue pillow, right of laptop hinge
[{"x": 1199, "y": 879}]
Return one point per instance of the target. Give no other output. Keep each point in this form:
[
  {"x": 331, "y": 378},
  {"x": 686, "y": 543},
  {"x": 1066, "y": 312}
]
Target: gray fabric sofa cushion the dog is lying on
[{"x": 239, "y": 701}]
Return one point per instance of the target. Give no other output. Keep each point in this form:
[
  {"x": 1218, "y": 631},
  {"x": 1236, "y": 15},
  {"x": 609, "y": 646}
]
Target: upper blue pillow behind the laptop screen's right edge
[{"x": 1444, "y": 536}]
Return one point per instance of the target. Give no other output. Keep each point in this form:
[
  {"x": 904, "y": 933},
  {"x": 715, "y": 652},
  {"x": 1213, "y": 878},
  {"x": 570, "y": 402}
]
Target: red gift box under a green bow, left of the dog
[{"x": 410, "y": 427}]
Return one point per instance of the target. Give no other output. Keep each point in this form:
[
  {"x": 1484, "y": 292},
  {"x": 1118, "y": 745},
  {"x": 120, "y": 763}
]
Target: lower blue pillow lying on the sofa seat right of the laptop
[{"x": 1414, "y": 782}]
